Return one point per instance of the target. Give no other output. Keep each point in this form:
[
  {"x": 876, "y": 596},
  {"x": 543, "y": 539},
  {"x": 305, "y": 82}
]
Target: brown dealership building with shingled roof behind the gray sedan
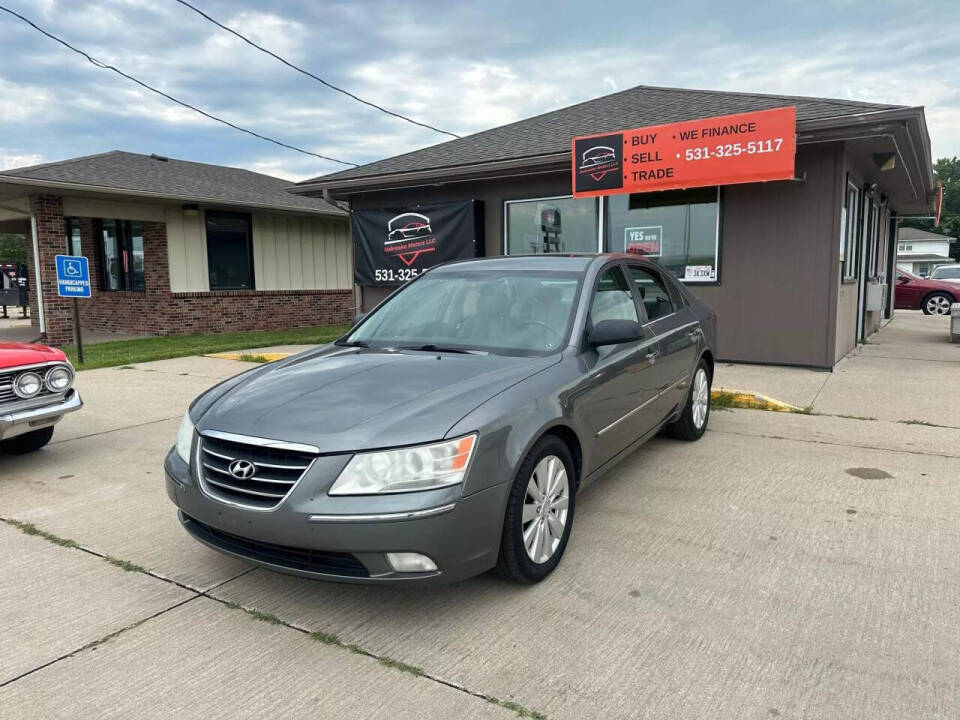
[{"x": 798, "y": 269}]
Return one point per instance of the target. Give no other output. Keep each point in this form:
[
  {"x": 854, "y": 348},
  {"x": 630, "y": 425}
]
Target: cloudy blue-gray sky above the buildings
[{"x": 460, "y": 66}]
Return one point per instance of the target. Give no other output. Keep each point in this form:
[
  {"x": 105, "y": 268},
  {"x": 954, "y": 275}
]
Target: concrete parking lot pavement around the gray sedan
[{"x": 785, "y": 566}]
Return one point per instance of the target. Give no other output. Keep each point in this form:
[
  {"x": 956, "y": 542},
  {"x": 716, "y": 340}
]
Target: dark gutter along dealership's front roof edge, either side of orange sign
[{"x": 807, "y": 132}]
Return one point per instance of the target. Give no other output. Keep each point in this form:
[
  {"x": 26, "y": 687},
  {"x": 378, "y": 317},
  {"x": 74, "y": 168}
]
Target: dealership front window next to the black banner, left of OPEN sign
[{"x": 558, "y": 224}]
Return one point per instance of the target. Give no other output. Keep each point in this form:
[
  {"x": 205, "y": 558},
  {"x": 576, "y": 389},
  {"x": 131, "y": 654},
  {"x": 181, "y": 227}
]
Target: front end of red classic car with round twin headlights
[{"x": 35, "y": 392}]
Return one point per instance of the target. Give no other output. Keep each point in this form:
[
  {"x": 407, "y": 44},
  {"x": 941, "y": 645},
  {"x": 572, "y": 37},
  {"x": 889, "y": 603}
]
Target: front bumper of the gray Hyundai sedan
[{"x": 313, "y": 535}]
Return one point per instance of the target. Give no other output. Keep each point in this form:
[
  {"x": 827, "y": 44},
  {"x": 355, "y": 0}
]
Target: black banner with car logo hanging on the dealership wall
[{"x": 394, "y": 245}]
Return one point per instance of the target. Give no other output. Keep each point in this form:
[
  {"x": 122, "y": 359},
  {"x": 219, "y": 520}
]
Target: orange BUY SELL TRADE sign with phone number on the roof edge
[{"x": 725, "y": 150}]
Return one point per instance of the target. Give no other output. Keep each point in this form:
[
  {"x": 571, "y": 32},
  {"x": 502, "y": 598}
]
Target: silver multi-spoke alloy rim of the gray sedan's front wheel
[{"x": 545, "y": 509}]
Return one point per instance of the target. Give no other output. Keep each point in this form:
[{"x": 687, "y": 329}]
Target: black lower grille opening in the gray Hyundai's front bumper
[{"x": 318, "y": 561}]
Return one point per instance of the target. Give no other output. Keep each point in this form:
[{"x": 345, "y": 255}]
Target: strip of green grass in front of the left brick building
[{"x": 125, "y": 352}]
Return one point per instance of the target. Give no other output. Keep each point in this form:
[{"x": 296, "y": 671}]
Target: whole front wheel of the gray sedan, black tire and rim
[{"x": 516, "y": 561}]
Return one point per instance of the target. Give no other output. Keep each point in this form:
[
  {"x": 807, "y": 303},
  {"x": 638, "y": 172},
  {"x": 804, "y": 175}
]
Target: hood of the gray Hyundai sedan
[{"x": 345, "y": 399}]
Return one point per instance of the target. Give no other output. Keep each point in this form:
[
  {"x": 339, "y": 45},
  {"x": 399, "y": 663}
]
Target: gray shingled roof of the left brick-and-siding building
[{"x": 118, "y": 171}]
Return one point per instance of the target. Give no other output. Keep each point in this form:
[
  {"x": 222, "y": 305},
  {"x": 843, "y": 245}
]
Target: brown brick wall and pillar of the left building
[{"x": 157, "y": 311}]
